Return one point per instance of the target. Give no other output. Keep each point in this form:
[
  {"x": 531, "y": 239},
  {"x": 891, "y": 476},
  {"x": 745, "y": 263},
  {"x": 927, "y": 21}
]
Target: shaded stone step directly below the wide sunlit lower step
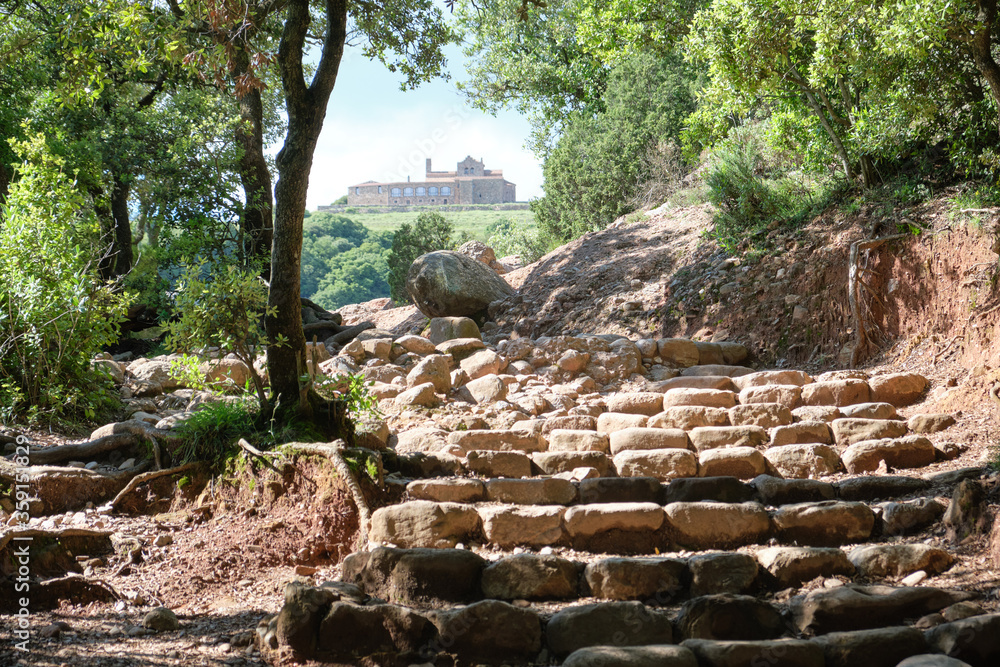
[{"x": 437, "y": 576}]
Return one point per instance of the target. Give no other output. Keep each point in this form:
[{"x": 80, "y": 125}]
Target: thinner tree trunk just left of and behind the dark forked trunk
[{"x": 257, "y": 223}]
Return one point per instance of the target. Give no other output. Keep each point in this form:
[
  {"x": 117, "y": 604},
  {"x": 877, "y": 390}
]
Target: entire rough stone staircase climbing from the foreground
[{"x": 723, "y": 517}]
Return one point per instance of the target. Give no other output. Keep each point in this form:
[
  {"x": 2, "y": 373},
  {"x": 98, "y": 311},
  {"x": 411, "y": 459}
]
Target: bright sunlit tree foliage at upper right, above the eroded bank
[{"x": 841, "y": 86}]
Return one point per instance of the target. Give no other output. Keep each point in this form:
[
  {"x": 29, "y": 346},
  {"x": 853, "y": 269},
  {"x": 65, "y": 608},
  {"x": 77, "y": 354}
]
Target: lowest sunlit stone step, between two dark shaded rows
[{"x": 612, "y": 517}]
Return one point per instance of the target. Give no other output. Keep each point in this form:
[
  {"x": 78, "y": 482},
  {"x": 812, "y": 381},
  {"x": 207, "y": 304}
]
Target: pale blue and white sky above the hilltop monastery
[{"x": 376, "y": 132}]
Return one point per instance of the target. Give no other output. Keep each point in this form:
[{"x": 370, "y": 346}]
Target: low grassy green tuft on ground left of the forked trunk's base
[{"x": 210, "y": 433}]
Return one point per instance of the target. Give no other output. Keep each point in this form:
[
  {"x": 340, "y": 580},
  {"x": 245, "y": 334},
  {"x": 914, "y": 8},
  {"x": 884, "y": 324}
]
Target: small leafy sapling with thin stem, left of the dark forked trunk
[{"x": 223, "y": 310}]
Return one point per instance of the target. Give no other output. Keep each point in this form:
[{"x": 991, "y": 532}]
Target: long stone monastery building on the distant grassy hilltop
[{"x": 470, "y": 183}]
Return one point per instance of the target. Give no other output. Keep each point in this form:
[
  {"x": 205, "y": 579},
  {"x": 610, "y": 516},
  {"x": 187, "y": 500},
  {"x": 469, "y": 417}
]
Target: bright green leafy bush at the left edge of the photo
[{"x": 55, "y": 312}]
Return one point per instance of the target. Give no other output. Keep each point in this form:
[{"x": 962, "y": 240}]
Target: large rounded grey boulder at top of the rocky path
[{"x": 449, "y": 284}]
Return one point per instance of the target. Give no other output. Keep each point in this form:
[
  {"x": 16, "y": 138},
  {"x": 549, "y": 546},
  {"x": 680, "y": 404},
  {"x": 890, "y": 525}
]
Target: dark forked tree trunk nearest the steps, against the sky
[{"x": 306, "y": 107}]
